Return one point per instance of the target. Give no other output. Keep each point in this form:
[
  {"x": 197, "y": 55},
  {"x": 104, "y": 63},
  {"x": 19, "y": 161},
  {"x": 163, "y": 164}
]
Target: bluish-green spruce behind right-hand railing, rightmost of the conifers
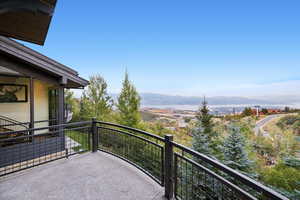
[{"x": 235, "y": 154}]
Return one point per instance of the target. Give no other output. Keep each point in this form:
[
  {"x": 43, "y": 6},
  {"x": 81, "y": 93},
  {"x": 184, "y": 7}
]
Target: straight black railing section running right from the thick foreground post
[{"x": 197, "y": 176}]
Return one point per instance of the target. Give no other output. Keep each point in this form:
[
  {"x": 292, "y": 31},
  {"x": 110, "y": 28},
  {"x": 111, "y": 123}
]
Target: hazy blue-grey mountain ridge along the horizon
[{"x": 161, "y": 99}]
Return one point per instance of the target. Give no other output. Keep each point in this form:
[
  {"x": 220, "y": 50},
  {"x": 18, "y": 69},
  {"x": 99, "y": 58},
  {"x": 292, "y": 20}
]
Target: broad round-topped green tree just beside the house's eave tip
[{"x": 95, "y": 100}]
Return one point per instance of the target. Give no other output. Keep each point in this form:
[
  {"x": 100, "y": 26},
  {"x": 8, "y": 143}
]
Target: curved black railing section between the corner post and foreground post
[{"x": 135, "y": 146}]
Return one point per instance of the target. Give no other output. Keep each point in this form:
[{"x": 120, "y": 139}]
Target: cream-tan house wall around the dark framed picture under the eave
[{"x": 21, "y": 111}]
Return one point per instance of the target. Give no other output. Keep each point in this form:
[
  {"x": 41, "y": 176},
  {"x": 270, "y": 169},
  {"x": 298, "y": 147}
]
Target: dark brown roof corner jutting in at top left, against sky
[{"x": 26, "y": 20}]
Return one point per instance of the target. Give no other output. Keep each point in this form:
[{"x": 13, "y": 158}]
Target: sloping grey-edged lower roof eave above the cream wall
[{"x": 28, "y": 62}]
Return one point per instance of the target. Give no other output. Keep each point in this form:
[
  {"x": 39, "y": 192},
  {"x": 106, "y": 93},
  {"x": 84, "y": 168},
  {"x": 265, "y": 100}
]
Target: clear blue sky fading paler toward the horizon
[{"x": 232, "y": 48}]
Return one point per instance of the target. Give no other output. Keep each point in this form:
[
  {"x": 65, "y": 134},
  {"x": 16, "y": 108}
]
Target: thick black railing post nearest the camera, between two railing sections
[{"x": 169, "y": 188}]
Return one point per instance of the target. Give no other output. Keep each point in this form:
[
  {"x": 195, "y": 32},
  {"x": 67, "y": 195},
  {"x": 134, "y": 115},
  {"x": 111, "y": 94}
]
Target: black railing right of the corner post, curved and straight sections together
[{"x": 190, "y": 174}]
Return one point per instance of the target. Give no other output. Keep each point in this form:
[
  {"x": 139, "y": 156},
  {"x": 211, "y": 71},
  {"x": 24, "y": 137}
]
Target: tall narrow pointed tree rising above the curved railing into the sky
[{"x": 129, "y": 104}]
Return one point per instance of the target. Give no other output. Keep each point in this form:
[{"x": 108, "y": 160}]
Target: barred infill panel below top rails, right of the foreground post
[{"x": 193, "y": 181}]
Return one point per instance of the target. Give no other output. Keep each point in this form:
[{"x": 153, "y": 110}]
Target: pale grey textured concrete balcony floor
[{"x": 91, "y": 176}]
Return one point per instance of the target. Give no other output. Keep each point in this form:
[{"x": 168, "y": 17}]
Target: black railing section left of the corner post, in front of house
[{"x": 56, "y": 142}]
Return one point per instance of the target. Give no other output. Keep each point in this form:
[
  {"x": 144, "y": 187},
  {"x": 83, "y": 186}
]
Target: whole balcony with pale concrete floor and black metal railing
[{"x": 126, "y": 163}]
